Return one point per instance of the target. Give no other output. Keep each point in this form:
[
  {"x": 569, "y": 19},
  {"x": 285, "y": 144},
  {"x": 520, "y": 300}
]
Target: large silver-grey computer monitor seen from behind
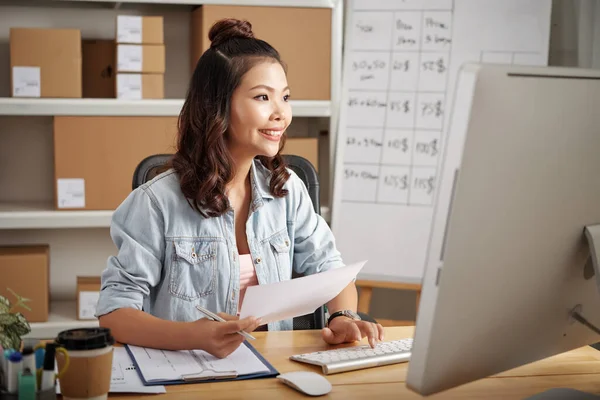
[{"x": 508, "y": 259}]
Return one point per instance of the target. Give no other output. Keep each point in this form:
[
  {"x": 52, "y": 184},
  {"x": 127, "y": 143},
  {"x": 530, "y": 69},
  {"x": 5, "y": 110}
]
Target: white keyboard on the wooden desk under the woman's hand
[{"x": 358, "y": 357}]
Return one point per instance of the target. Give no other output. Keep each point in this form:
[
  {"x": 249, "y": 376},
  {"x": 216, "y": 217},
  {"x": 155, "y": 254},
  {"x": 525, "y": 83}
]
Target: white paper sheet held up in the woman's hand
[{"x": 296, "y": 297}]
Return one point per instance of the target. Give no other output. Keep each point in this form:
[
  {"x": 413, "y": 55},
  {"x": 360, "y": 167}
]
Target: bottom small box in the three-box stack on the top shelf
[{"x": 140, "y": 86}]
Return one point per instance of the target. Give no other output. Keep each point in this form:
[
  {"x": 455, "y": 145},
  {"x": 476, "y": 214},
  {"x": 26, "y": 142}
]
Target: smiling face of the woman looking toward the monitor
[{"x": 260, "y": 112}]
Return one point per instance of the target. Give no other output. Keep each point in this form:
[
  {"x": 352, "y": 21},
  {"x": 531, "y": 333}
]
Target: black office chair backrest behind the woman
[{"x": 153, "y": 165}]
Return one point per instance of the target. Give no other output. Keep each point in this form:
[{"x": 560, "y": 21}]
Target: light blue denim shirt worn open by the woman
[{"x": 171, "y": 259}]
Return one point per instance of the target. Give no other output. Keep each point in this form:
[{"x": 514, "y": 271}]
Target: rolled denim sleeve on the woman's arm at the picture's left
[{"x": 137, "y": 230}]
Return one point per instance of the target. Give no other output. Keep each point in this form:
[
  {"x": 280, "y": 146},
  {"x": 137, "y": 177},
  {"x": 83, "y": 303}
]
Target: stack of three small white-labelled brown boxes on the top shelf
[{"x": 140, "y": 57}]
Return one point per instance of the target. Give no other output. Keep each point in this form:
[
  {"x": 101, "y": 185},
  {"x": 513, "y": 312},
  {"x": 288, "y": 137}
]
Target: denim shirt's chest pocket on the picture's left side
[{"x": 193, "y": 269}]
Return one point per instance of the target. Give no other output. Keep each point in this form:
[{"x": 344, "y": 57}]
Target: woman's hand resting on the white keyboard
[{"x": 346, "y": 330}]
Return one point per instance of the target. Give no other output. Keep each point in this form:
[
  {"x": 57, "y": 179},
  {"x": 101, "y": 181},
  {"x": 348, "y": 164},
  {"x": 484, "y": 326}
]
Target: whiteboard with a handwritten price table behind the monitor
[{"x": 400, "y": 65}]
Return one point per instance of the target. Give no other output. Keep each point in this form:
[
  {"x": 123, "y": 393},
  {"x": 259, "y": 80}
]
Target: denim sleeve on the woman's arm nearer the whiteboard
[{"x": 314, "y": 244}]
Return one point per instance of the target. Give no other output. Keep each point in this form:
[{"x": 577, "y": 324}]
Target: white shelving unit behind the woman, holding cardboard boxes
[{"x": 79, "y": 239}]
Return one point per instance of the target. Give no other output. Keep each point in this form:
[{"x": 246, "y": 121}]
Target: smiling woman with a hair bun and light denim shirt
[{"x": 228, "y": 214}]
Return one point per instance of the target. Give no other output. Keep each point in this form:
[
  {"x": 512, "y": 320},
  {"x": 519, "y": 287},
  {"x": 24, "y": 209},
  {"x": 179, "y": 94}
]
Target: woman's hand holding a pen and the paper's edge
[{"x": 221, "y": 338}]
